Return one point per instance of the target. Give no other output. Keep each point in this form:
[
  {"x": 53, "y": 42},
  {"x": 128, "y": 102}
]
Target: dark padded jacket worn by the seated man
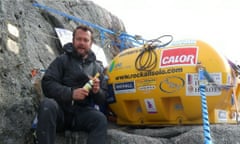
[{"x": 68, "y": 72}]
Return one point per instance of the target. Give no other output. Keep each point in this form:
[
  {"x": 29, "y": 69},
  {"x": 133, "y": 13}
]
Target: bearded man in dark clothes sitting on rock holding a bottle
[{"x": 68, "y": 105}]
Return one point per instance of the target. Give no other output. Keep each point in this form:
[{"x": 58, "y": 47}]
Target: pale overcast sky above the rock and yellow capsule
[{"x": 213, "y": 21}]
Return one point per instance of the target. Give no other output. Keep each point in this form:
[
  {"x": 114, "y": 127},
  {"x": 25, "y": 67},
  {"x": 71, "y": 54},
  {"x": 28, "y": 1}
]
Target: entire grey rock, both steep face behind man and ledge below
[{"x": 28, "y": 41}]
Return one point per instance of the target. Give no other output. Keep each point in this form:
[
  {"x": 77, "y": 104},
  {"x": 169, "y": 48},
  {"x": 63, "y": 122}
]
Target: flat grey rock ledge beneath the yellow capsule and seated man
[{"x": 220, "y": 134}]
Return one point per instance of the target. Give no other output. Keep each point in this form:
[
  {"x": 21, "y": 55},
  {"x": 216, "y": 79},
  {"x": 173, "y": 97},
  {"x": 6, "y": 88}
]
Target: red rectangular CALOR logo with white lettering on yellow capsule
[{"x": 179, "y": 56}]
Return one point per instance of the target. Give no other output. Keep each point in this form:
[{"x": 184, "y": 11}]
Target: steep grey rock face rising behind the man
[{"x": 28, "y": 41}]
